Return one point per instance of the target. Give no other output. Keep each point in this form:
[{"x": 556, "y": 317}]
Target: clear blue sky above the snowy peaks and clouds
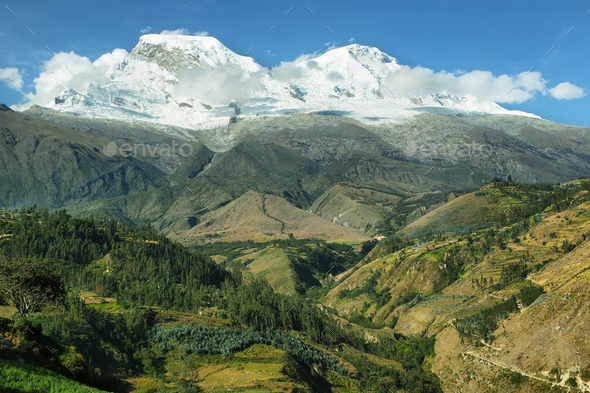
[{"x": 502, "y": 37}]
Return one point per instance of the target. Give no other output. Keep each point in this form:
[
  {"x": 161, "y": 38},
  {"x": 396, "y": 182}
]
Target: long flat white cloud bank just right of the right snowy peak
[{"x": 482, "y": 85}]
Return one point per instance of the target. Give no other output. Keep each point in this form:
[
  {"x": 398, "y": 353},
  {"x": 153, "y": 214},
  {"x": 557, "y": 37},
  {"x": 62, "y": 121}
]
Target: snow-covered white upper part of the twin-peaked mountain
[{"x": 197, "y": 82}]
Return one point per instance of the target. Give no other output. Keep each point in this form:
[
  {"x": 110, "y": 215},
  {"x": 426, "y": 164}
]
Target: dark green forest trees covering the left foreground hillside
[{"x": 147, "y": 274}]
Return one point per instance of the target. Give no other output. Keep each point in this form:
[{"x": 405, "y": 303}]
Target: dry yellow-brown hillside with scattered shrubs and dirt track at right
[{"x": 451, "y": 288}]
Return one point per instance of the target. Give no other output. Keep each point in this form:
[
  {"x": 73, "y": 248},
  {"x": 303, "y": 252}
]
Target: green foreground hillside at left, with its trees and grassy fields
[{"x": 146, "y": 338}]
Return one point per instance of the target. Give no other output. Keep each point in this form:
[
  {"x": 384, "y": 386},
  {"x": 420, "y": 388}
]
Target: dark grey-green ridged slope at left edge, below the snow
[{"x": 50, "y": 165}]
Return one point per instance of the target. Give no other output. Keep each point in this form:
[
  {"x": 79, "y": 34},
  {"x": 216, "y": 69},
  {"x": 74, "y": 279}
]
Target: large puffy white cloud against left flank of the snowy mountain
[{"x": 69, "y": 70}]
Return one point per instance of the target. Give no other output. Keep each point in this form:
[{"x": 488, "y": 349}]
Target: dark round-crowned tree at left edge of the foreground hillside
[{"x": 29, "y": 283}]
